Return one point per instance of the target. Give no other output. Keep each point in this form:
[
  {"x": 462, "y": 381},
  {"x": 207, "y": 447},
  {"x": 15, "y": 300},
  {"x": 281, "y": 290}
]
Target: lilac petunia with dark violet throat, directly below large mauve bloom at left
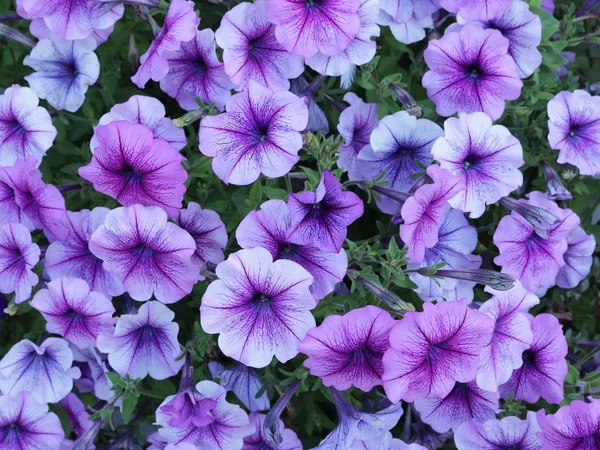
[{"x": 144, "y": 344}]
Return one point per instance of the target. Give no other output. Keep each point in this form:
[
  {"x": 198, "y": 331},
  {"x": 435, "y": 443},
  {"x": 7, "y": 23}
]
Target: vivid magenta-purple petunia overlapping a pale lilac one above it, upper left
[{"x": 134, "y": 168}]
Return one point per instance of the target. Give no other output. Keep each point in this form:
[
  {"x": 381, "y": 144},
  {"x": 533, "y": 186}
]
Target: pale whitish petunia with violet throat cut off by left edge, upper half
[{"x": 25, "y": 128}]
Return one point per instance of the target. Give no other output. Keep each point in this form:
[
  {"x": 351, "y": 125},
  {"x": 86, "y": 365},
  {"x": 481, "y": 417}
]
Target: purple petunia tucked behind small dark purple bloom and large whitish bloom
[{"x": 270, "y": 227}]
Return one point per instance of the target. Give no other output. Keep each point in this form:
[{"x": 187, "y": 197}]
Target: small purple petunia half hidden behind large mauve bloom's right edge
[{"x": 207, "y": 229}]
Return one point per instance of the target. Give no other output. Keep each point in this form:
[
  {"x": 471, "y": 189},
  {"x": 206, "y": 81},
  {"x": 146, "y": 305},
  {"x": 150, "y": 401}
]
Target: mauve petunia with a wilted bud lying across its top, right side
[{"x": 533, "y": 260}]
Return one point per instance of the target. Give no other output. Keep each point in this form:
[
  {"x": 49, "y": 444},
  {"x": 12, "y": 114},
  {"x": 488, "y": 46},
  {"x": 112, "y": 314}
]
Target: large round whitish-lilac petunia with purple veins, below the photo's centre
[{"x": 260, "y": 308}]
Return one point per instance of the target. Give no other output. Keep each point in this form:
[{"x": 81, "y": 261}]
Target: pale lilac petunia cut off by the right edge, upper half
[{"x": 574, "y": 129}]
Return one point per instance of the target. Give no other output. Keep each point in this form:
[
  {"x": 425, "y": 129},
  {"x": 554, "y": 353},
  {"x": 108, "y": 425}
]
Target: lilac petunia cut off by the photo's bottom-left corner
[{"x": 26, "y": 424}]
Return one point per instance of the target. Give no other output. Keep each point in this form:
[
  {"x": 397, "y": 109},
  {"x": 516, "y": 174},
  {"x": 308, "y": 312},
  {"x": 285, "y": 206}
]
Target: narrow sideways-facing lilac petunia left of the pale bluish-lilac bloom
[{"x": 356, "y": 124}]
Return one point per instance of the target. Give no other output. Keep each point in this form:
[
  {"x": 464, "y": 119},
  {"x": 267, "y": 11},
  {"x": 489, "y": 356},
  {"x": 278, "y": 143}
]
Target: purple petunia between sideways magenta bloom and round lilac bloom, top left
[{"x": 195, "y": 71}]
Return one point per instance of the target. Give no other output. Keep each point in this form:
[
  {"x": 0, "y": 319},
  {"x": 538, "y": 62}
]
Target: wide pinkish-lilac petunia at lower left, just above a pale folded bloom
[{"x": 73, "y": 311}]
